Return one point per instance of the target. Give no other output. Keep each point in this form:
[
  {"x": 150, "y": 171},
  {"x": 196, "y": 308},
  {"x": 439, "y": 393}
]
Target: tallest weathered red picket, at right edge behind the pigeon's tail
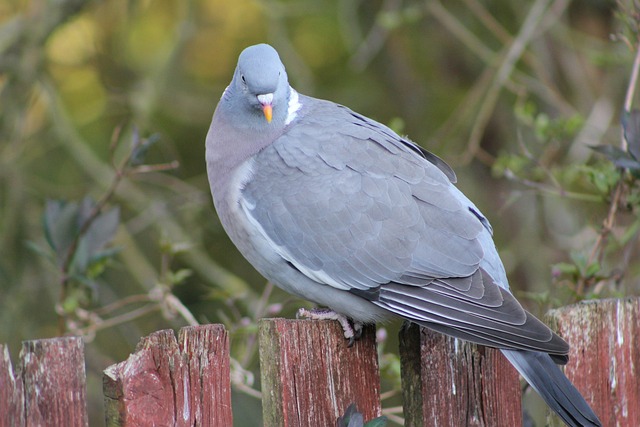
[{"x": 605, "y": 356}]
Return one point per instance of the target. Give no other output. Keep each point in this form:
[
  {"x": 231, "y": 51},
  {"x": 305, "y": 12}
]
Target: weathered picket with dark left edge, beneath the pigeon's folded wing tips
[{"x": 449, "y": 382}]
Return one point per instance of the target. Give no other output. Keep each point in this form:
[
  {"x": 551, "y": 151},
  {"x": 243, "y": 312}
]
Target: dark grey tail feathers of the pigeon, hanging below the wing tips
[{"x": 553, "y": 386}]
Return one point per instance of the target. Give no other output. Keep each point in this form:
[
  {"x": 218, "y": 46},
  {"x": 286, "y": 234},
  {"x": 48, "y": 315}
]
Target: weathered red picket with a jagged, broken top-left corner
[{"x": 166, "y": 383}]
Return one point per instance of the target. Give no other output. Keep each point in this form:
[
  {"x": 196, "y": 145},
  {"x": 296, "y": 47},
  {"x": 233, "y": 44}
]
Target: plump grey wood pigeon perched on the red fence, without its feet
[{"x": 340, "y": 210}]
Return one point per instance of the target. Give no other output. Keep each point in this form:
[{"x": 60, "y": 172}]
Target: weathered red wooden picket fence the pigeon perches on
[{"x": 310, "y": 376}]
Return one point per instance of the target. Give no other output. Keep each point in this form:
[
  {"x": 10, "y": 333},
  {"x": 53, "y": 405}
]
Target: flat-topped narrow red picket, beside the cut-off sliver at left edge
[{"x": 54, "y": 379}]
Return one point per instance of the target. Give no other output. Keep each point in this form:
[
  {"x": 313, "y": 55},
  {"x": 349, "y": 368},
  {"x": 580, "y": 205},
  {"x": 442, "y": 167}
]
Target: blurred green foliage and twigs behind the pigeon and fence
[{"x": 106, "y": 223}]
